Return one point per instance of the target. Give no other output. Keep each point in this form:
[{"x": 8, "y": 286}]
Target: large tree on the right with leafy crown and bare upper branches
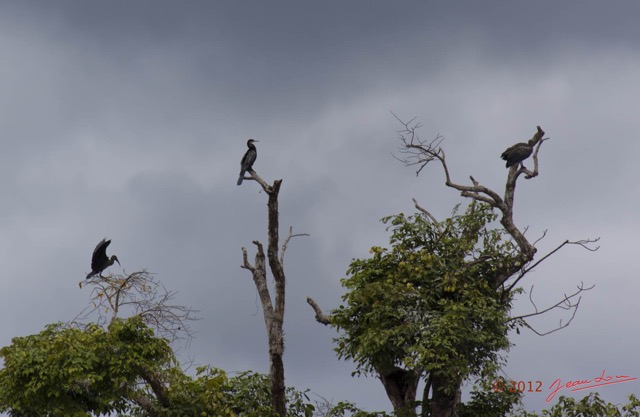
[{"x": 435, "y": 306}]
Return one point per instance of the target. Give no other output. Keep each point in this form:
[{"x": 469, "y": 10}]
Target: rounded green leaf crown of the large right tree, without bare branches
[{"x": 430, "y": 301}]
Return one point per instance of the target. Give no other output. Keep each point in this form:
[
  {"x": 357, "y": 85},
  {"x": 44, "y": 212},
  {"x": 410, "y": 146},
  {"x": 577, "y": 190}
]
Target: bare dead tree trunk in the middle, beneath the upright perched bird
[{"x": 273, "y": 315}]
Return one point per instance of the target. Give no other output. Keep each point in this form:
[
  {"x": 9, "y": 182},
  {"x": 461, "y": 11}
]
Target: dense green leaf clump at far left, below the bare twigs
[{"x": 64, "y": 371}]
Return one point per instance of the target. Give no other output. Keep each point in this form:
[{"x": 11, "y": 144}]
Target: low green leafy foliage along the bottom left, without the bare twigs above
[{"x": 124, "y": 369}]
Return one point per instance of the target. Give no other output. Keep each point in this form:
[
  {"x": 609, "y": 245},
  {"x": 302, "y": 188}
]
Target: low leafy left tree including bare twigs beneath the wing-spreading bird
[{"x": 126, "y": 366}]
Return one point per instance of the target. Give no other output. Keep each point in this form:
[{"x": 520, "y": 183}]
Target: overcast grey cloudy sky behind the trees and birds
[{"x": 128, "y": 120}]
